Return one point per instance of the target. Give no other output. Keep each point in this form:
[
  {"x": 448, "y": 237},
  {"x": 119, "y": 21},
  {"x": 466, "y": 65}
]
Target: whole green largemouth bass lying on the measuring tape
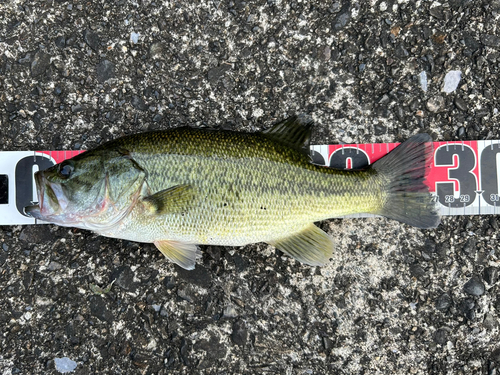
[{"x": 184, "y": 187}]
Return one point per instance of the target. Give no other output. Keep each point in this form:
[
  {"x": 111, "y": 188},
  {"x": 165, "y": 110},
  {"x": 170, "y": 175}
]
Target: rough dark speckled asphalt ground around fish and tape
[{"x": 393, "y": 300}]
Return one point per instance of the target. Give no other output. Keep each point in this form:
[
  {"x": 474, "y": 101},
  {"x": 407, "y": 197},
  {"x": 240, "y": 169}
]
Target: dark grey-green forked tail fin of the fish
[{"x": 403, "y": 171}]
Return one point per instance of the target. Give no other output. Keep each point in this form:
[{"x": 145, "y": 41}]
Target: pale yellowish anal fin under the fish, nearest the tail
[{"x": 310, "y": 246}]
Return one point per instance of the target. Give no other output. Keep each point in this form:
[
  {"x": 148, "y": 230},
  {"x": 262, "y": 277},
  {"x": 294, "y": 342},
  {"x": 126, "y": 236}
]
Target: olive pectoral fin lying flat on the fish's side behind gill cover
[{"x": 175, "y": 199}]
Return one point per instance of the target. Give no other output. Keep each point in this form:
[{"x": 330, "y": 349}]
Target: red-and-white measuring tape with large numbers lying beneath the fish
[{"x": 463, "y": 176}]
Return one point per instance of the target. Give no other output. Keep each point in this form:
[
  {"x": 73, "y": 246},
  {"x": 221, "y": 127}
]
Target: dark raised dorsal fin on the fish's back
[{"x": 295, "y": 131}]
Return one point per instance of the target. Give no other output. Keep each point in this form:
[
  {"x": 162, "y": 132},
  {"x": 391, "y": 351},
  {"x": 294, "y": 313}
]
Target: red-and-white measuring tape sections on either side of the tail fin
[{"x": 463, "y": 175}]
